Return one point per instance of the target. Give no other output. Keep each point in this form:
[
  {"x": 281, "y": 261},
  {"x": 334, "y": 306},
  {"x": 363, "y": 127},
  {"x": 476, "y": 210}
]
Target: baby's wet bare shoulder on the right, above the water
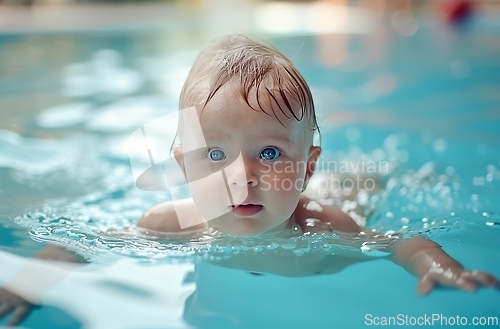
[{"x": 311, "y": 215}]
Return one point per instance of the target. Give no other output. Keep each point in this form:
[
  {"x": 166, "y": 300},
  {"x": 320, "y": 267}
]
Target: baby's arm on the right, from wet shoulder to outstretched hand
[{"x": 421, "y": 257}]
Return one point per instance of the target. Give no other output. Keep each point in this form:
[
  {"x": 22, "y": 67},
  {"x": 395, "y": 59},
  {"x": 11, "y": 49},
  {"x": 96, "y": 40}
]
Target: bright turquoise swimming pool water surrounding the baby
[{"x": 427, "y": 104}]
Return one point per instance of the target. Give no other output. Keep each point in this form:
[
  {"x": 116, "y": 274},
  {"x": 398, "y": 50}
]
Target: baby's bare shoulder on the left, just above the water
[{"x": 178, "y": 217}]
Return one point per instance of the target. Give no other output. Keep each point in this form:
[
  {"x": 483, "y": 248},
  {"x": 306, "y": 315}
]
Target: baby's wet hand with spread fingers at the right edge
[{"x": 454, "y": 276}]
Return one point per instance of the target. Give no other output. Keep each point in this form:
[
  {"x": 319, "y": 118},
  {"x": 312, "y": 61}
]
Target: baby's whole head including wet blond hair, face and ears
[{"x": 253, "y": 156}]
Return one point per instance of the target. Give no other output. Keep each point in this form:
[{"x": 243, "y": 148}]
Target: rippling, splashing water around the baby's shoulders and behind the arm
[{"x": 101, "y": 225}]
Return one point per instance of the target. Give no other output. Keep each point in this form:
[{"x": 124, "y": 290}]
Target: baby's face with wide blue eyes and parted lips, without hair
[{"x": 249, "y": 177}]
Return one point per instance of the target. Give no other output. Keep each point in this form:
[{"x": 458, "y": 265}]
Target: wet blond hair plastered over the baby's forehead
[{"x": 255, "y": 67}]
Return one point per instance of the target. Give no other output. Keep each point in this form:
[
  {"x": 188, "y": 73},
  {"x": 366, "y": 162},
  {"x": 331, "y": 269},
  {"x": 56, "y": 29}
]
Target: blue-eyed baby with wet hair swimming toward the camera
[{"x": 249, "y": 164}]
